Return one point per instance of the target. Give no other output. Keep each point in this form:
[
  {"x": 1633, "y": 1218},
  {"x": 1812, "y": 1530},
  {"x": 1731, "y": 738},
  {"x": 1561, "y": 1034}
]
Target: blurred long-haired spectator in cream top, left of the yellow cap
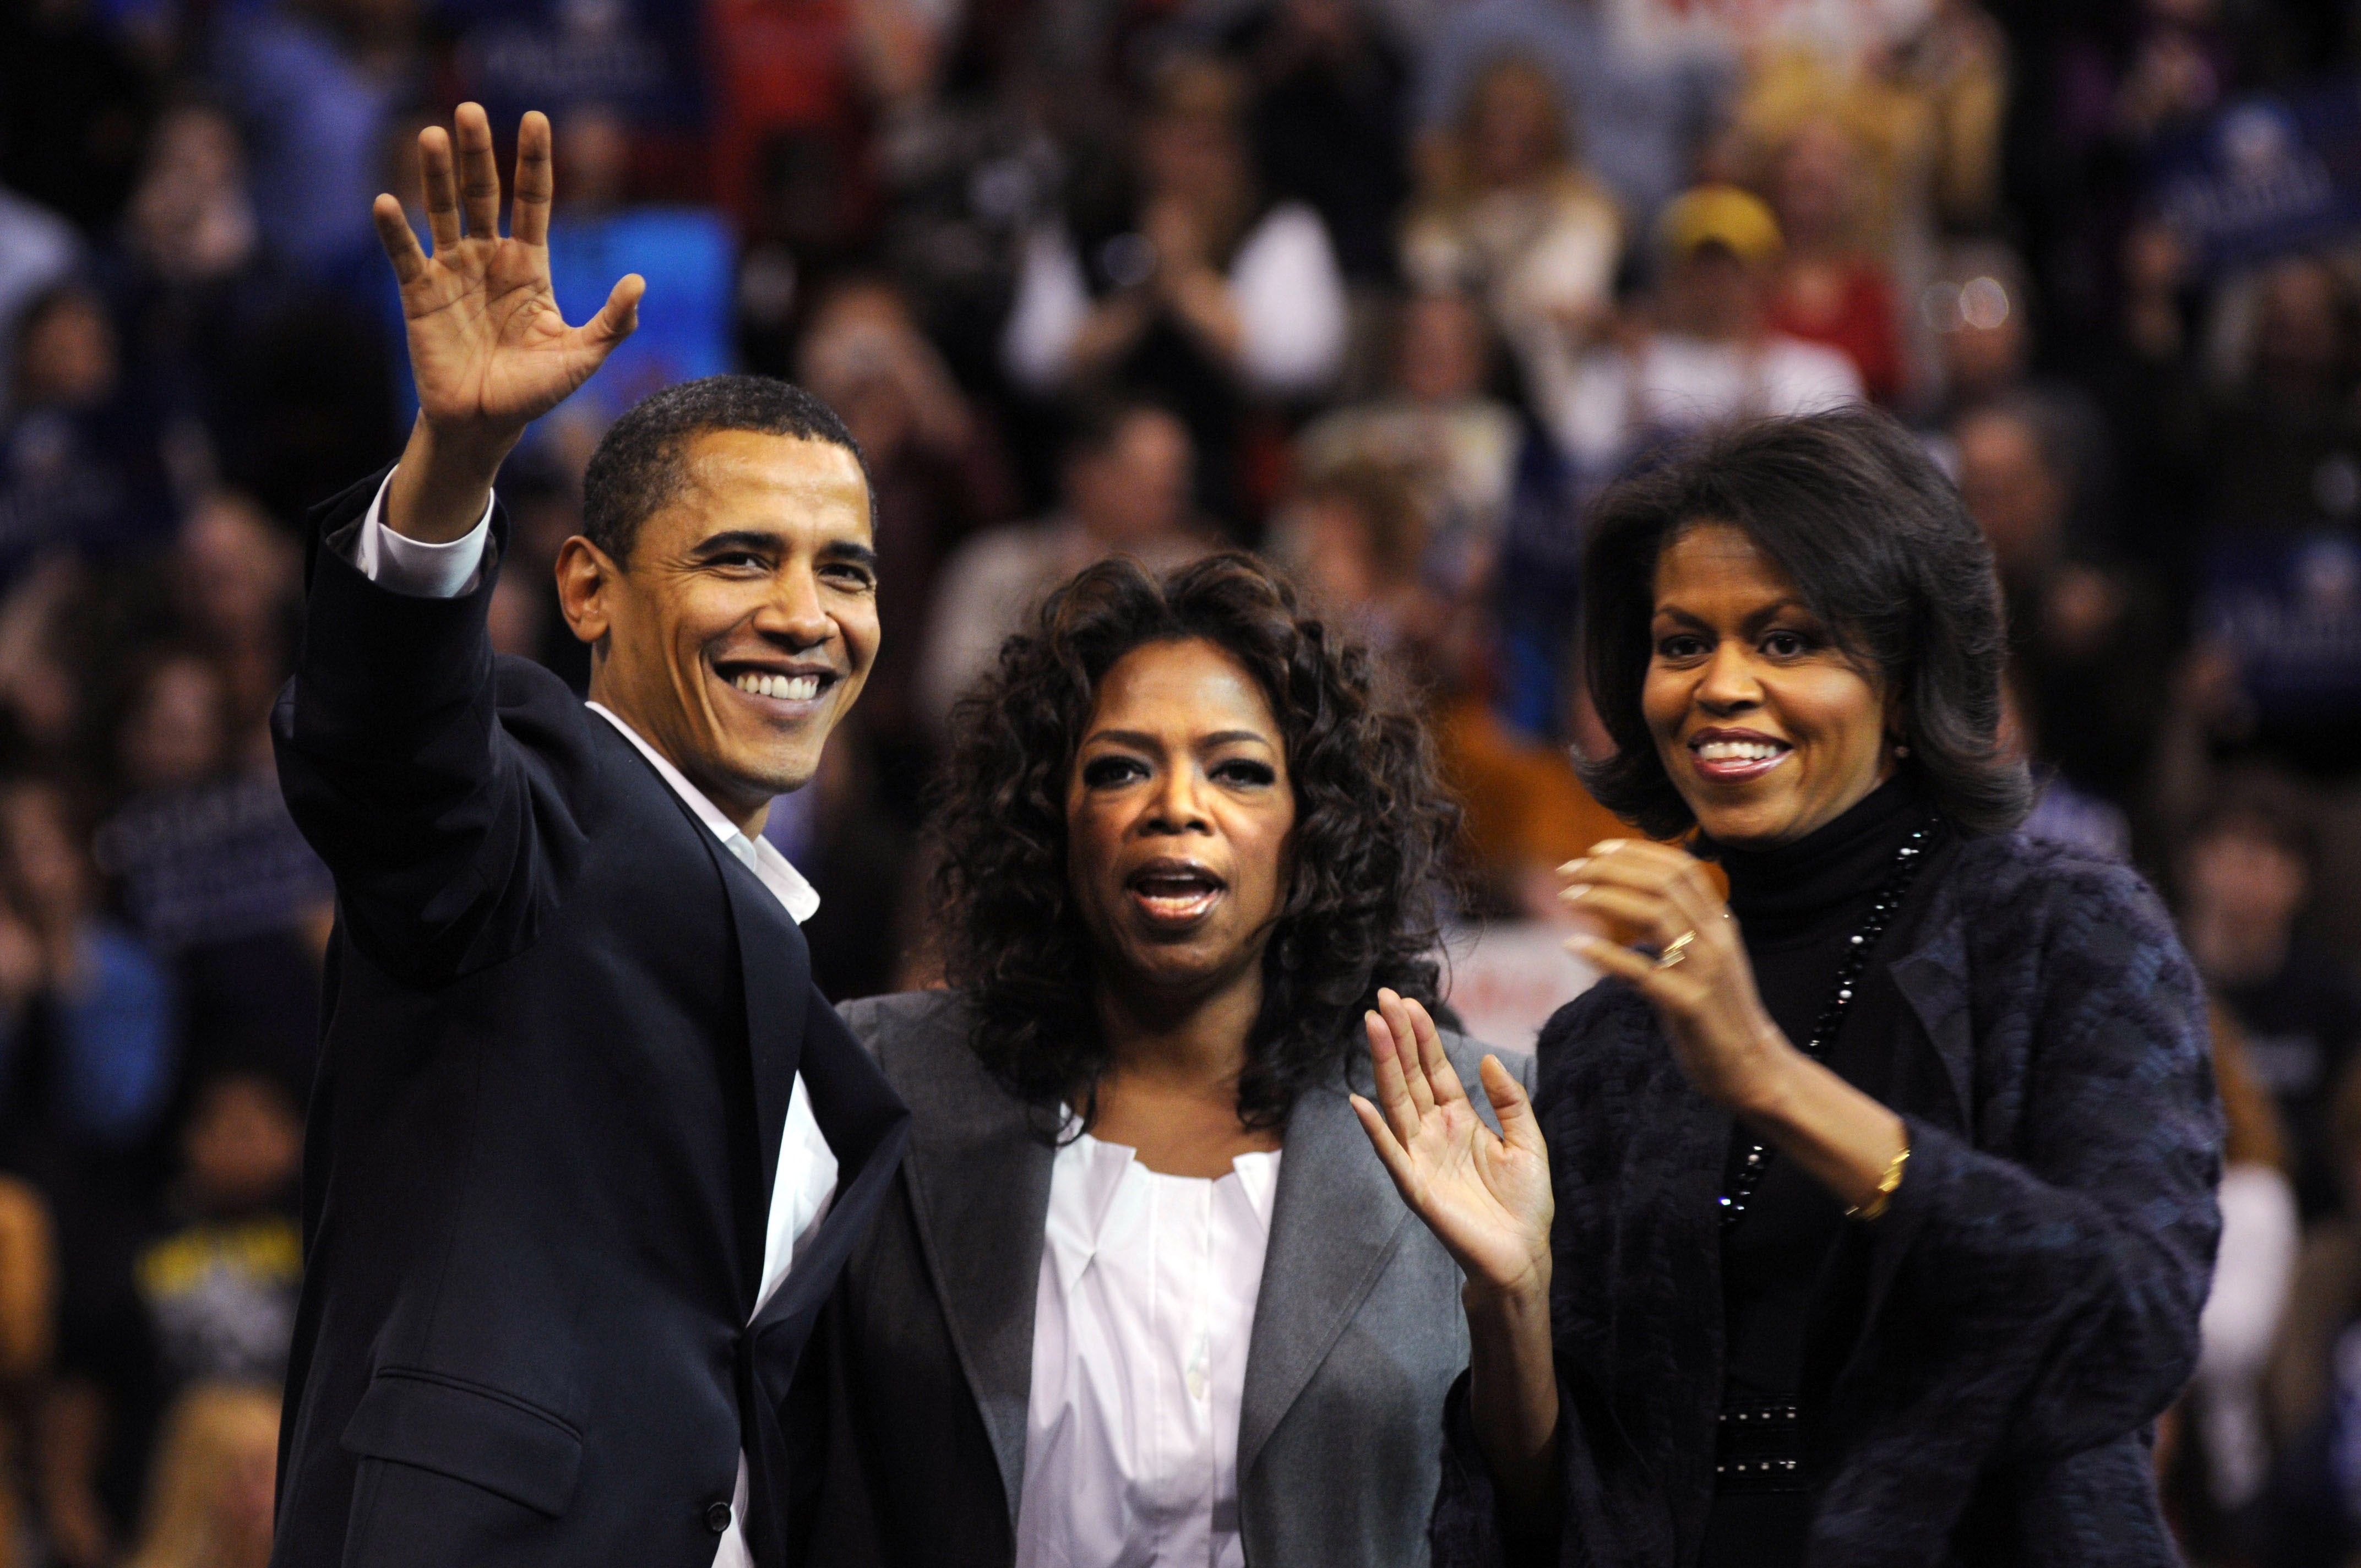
[{"x": 1510, "y": 216}]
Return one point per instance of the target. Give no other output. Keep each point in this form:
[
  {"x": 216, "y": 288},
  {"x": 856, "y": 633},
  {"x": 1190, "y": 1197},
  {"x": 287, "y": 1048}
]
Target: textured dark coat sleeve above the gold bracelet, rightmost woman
[{"x": 2067, "y": 1257}]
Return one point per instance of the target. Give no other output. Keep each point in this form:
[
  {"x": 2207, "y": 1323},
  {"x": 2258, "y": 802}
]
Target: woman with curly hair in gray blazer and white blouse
[{"x": 1144, "y": 1293}]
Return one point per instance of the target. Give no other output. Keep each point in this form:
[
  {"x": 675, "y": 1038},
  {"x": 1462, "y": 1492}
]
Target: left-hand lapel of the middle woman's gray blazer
[{"x": 979, "y": 1182}]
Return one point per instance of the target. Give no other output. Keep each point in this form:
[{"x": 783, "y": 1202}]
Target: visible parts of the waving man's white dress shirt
[{"x": 806, "y": 1180}]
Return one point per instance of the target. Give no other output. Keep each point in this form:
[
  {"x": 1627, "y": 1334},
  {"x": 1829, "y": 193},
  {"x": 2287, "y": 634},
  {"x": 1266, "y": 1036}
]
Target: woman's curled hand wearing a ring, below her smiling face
[{"x": 1699, "y": 976}]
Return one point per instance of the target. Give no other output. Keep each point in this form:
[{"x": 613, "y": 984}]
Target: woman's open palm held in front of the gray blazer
[{"x": 1486, "y": 1196}]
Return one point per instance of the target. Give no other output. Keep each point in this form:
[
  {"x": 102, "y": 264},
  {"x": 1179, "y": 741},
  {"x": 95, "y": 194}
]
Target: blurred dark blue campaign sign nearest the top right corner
[{"x": 2265, "y": 176}]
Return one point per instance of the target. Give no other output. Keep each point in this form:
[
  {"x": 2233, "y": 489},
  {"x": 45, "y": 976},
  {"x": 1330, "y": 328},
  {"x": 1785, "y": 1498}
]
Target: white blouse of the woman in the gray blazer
[{"x": 1142, "y": 1331}]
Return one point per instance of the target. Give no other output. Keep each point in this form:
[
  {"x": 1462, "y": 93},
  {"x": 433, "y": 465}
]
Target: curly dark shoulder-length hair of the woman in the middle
[{"x": 1368, "y": 849}]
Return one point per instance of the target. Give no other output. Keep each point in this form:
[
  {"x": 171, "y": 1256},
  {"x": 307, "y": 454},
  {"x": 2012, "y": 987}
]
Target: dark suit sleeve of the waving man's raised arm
[{"x": 447, "y": 839}]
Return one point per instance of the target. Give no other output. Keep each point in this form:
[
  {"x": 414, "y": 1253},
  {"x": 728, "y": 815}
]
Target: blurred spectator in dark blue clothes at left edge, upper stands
[{"x": 81, "y": 452}]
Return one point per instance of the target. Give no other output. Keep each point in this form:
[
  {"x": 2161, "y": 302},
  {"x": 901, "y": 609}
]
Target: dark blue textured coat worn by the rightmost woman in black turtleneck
[{"x": 1999, "y": 1345}]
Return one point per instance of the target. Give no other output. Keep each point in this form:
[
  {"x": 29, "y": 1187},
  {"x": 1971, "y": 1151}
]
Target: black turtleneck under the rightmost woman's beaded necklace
[{"x": 1798, "y": 910}]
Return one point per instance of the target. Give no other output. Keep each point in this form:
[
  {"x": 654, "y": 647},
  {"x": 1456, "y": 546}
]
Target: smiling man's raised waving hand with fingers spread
[{"x": 490, "y": 348}]
